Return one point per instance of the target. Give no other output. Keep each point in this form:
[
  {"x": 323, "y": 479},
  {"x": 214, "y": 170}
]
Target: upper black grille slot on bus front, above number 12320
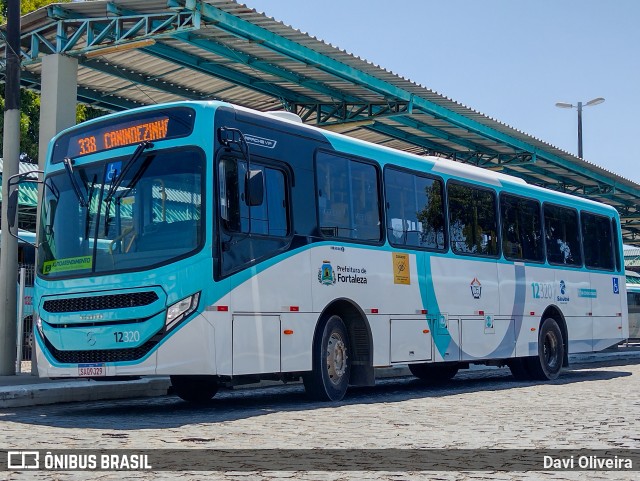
[{"x": 98, "y": 303}]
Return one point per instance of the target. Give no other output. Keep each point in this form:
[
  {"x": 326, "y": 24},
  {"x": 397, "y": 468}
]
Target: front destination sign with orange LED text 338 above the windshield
[{"x": 124, "y": 131}]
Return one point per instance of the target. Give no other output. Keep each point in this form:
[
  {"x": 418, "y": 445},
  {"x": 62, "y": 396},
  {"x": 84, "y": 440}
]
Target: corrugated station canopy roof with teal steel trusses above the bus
[{"x": 141, "y": 52}]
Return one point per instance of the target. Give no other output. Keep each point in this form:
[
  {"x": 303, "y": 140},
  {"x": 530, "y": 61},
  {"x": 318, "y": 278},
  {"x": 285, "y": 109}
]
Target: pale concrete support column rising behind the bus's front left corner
[{"x": 57, "y": 112}]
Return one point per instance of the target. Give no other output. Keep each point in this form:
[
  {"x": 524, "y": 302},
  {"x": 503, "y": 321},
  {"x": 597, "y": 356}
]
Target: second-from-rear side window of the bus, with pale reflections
[{"x": 562, "y": 235}]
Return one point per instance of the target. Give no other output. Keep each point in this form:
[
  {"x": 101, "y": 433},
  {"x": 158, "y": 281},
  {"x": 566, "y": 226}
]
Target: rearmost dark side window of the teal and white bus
[{"x": 597, "y": 241}]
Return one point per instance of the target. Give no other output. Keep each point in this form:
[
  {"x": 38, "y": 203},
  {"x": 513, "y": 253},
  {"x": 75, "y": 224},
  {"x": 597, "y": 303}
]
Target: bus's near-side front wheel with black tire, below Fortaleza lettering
[{"x": 329, "y": 379}]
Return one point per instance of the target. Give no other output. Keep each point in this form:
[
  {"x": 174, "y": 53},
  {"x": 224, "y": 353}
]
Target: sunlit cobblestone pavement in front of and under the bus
[{"x": 593, "y": 406}]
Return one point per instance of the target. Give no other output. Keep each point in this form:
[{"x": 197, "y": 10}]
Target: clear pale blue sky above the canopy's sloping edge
[{"x": 509, "y": 59}]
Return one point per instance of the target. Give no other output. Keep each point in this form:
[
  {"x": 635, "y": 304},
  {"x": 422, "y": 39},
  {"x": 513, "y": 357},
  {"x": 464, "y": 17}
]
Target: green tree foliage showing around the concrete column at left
[{"x": 30, "y": 101}]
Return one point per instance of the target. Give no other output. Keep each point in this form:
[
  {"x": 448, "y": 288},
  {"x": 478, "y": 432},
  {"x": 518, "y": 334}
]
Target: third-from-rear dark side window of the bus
[{"x": 521, "y": 229}]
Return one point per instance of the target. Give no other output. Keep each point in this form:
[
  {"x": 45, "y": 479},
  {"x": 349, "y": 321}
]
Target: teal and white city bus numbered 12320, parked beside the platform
[{"x": 221, "y": 245}]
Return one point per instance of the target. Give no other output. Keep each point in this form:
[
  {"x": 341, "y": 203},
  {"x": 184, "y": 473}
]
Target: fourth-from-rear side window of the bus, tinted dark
[{"x": 472, "y": 220}]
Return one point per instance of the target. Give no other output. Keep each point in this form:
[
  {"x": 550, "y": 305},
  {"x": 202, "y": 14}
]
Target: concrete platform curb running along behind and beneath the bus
[{"x": 61, "y": 391}]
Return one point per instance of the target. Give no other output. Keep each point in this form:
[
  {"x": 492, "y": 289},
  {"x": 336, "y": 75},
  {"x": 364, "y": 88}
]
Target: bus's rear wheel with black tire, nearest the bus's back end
[{"x": 547, "y": 364}]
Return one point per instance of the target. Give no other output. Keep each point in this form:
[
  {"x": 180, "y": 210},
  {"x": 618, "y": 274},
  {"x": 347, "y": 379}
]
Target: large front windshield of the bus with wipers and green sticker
[{"x": 149, "y": 217}]
